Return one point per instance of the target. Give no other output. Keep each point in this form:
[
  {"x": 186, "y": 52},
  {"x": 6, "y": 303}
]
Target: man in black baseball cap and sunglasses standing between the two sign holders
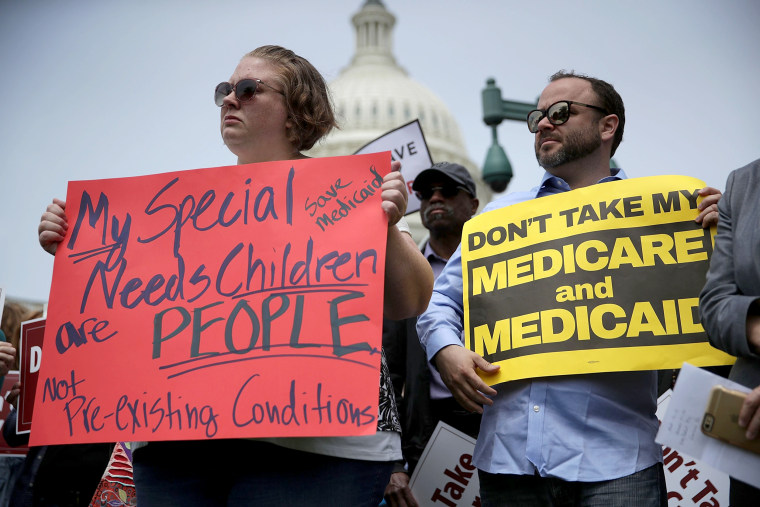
[{"x": 448, "y": 199}]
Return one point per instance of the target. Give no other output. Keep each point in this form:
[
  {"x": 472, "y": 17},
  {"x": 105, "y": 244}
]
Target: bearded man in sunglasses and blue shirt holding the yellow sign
[{"x": 568, "y": 440}]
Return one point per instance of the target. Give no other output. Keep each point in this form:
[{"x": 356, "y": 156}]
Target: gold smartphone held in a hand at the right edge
[{"x": 721, "y": 419}]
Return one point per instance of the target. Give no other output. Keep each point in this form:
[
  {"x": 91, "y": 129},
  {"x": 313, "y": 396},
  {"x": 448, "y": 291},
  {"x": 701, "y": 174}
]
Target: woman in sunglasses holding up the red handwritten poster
[{"x": 275, "y": 106}]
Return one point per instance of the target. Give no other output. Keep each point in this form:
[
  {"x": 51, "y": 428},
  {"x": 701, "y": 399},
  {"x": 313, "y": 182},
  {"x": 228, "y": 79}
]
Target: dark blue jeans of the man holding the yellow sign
[{"x": 641, "y": 489}]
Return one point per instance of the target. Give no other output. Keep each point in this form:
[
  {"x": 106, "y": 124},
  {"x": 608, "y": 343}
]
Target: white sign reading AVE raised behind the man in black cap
[{"x": 407, "y": 145}]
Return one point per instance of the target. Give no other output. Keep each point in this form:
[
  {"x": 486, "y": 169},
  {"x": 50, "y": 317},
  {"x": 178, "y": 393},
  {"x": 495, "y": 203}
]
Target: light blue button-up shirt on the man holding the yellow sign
[{"x": 575, "y": 427}]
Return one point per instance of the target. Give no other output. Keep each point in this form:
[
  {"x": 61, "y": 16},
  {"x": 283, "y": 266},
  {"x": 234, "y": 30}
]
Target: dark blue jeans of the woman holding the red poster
[{"x": 246, "y": 472}]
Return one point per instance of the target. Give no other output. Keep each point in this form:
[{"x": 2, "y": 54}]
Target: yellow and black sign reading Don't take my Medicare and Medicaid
[{"x": 599, "y": 279}]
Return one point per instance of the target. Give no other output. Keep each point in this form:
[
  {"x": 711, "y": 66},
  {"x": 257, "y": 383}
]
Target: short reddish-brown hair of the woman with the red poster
[{"x": 306, "y": 95}]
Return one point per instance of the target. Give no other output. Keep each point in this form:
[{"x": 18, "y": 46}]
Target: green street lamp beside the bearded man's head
[{"x": 497, "y": 171}]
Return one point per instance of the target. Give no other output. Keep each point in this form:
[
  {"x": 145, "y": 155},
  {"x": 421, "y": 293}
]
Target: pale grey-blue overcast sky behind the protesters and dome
[{"x": 101, "y": 89}]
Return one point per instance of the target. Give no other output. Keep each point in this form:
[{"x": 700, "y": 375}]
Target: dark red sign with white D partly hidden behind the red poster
[{"x": 30, "y": 358}]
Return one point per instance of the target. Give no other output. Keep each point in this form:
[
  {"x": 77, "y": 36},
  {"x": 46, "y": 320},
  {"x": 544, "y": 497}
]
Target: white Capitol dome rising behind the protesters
[{"x": 374, "y": 95}]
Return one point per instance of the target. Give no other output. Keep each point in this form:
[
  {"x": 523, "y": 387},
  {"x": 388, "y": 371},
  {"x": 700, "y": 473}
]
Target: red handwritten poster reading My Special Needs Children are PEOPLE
[{"x": 239, "y": 301}]
